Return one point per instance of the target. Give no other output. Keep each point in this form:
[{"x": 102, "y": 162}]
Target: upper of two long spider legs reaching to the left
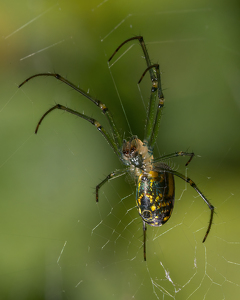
[{"x": 102, "y": 106}]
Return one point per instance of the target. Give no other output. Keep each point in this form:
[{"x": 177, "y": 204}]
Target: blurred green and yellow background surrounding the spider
[{"x": 56, "y": 242}]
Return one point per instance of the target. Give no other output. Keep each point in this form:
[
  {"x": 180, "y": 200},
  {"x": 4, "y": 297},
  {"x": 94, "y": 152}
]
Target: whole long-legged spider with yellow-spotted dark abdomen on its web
[{"x": 155, "y": 188}]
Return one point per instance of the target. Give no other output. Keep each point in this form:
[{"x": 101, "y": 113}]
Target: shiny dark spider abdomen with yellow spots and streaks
[{"x": 155, "y": 197}]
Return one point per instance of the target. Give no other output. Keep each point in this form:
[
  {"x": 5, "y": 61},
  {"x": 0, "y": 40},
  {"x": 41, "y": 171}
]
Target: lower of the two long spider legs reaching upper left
[{"x": 91, "y": 120}]
